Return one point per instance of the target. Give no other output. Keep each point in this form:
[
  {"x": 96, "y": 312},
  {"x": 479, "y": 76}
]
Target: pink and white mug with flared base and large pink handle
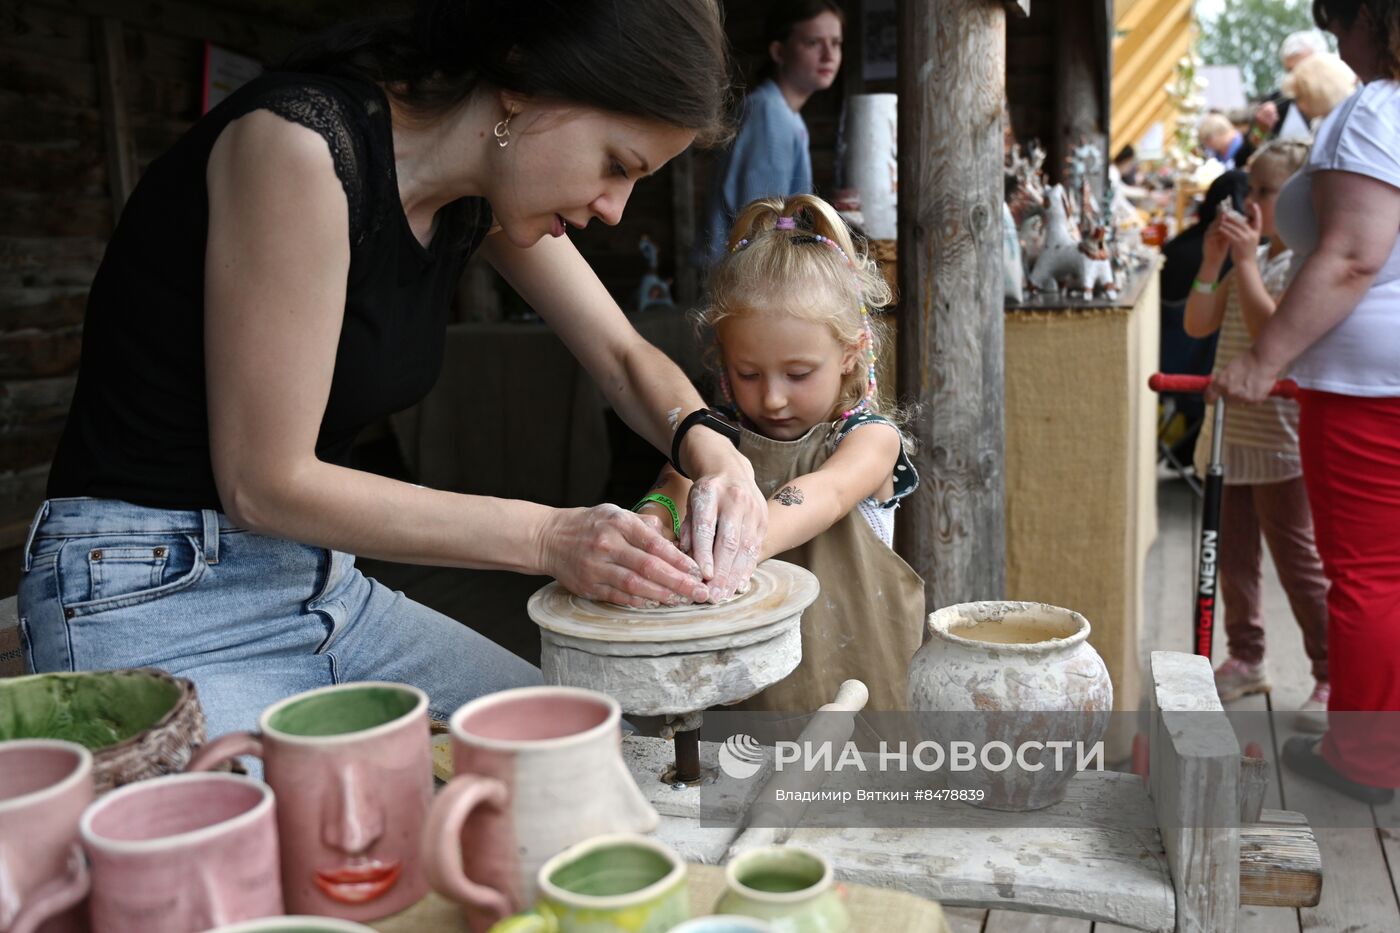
[{"x": 537, "y": 770}]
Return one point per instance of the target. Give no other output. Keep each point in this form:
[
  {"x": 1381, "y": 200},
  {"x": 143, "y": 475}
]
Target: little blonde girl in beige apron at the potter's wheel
[{"x": 790, "y": 313}]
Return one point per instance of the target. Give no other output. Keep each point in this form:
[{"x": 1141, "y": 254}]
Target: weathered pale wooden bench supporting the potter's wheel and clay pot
[{"x": 1174, "y": 855}]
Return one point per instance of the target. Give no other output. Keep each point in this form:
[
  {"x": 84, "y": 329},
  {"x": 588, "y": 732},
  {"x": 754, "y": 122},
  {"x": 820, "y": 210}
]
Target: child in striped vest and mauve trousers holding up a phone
[{"x": 1263, "y": 471}]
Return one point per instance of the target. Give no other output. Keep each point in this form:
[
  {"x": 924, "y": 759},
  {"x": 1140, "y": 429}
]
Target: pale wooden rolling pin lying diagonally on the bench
[{"x": 835, "y": 726}]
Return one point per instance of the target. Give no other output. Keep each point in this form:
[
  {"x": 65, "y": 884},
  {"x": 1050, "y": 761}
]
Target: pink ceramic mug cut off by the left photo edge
[{"x": 44, "y": 788}]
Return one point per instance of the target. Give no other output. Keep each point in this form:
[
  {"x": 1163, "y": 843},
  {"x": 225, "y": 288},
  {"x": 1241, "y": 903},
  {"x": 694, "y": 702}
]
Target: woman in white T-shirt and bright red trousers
[{"x": 1338, "y": 334}]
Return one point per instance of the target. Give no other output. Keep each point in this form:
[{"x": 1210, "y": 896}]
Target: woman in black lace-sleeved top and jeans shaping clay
[{"x": 282, "y": 278}]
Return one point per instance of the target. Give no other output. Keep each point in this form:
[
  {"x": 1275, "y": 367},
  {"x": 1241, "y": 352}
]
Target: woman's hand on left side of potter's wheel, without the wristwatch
[{"x": 612, "y": 555}]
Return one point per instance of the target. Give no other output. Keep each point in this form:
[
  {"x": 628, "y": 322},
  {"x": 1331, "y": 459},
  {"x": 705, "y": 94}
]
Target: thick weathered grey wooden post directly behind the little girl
[{"x": 951, "y": 89}]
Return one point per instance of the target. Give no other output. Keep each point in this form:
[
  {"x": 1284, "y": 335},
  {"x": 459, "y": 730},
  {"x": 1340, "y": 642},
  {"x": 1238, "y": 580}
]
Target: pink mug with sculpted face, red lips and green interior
[{"x": 353, "y": 771}]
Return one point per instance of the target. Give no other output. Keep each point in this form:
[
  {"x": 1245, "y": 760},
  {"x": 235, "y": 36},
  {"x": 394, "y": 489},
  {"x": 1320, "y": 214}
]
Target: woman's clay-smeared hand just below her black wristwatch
[{"x": 726, "y": 516}]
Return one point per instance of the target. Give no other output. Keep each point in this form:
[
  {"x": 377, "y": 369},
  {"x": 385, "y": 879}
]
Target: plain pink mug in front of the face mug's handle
[{"x": 183, "y": 854}]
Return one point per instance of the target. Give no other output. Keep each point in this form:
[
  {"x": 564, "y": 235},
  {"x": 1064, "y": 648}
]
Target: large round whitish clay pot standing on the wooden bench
[{"x": 1023, "y": 675}]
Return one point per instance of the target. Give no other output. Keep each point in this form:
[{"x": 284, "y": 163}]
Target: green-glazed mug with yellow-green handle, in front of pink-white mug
[{"x": 608, "y": 885}]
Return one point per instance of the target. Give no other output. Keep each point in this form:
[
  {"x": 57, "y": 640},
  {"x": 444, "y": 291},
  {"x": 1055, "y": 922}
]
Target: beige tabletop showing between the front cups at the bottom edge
[{"x": 873, "y": 910}]
